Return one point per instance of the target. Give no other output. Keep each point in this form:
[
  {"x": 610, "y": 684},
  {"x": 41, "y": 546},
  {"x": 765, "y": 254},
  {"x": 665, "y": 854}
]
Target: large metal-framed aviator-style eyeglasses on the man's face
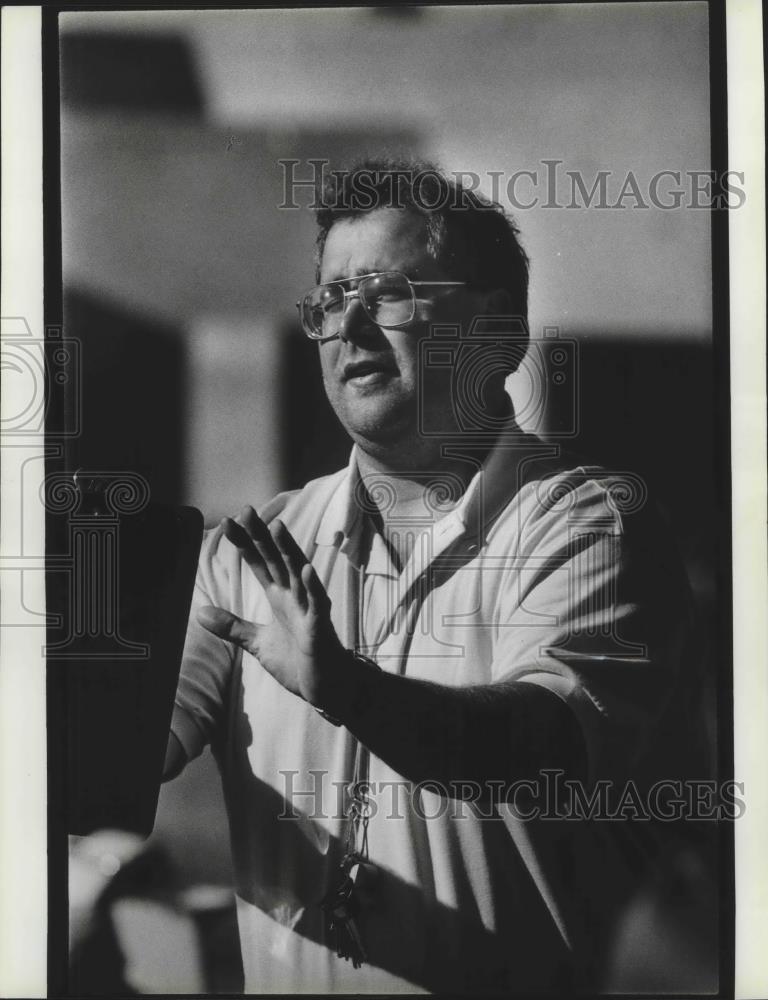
[{"x": 388, "y": 298}]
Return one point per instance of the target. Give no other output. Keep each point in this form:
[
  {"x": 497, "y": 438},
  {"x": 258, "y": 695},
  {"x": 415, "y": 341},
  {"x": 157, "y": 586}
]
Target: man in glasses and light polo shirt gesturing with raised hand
[{"x": 386, "y": 662}]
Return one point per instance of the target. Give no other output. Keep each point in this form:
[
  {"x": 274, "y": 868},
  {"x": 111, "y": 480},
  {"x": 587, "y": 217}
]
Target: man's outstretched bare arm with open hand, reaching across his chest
[{"x": 499, "y": 732}]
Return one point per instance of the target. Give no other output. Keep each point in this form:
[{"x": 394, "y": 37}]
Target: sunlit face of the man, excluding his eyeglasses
[{"x": 371, "y": 374}]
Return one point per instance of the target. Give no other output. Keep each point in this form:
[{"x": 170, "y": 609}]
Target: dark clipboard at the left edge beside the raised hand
[{"x": 122, "y": 573}]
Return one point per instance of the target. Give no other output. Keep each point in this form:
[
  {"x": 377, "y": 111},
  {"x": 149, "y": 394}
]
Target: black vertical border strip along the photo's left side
[{"x": 55, "y": 461}]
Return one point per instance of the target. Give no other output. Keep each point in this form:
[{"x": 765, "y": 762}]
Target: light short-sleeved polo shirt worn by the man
[{"x": 534, "y": 576}]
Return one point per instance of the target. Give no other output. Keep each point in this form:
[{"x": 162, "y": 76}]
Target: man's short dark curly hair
[{"x": 469, "y": 236}]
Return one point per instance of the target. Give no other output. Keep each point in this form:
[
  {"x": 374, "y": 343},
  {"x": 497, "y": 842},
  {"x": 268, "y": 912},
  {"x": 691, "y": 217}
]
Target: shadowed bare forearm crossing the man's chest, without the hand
[{"x": 495, "y": 733}]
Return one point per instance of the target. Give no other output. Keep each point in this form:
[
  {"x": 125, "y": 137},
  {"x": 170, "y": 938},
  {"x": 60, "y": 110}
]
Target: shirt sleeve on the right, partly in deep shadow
[{"x": 596, "y": 609}]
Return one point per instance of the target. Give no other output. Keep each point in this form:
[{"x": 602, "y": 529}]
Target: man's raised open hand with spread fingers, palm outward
[{"x": 299, "y": 647}]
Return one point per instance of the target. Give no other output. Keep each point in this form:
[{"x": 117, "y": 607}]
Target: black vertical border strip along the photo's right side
[{"x": 723, "y": 658}]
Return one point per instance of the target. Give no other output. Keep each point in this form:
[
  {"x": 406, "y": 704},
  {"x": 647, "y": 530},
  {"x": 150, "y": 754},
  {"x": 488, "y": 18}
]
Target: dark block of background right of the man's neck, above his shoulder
[{"x": 646, "y": 405}]
